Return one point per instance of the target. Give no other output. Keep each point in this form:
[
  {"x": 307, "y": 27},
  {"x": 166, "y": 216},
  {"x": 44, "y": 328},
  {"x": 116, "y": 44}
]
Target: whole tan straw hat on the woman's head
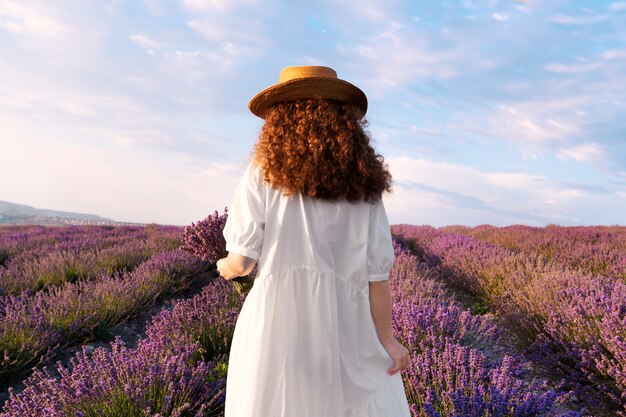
[{"x": 307, "y": 82}]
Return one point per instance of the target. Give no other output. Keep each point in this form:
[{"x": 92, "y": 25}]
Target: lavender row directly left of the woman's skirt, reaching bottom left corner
[{"x": 179, "y": 369}]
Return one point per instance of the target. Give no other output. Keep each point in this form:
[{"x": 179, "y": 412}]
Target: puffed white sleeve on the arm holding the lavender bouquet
[{"x": 244, "y": 226}]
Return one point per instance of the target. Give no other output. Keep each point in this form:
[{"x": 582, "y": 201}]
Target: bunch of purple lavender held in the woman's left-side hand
[{"x": 206, "y": 240}]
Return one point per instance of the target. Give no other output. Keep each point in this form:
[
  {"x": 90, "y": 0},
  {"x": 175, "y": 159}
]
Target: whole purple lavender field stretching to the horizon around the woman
[{"x": 499, "y": 321}]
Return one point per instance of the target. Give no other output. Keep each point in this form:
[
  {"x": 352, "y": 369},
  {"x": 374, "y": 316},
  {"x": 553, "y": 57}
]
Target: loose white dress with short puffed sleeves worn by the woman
[{"x": 304, "y": 343}]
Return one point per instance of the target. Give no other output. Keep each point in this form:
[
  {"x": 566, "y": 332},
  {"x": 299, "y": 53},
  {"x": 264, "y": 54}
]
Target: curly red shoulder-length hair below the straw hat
[{"x": 319, "y": 148}]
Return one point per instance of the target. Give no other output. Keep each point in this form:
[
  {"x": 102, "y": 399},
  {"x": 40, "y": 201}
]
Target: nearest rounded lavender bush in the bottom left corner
[{"x": 147, "y": 381}]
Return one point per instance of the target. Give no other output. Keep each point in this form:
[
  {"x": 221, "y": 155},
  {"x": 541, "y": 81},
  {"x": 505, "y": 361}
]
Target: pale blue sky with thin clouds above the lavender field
[{"x": 487, "y": 112}]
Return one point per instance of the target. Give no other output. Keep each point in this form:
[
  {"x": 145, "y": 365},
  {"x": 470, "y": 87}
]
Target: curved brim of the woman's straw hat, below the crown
[{"x": 310, "y": 87}]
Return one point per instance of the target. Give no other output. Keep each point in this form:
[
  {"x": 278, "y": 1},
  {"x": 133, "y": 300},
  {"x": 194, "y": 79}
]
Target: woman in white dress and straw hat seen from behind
[{"x": 314, "y": 335}]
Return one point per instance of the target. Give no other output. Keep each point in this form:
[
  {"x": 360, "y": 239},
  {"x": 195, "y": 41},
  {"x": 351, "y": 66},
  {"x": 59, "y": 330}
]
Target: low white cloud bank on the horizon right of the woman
[{"x": 442, "y": 193}]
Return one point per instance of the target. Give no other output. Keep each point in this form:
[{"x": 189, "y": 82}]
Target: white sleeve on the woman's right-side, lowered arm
[{"x": 379, "y": 247}]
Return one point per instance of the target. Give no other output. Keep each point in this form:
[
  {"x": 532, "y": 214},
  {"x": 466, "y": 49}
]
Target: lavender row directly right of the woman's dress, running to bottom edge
[{"x": 448, "y": 374}]
